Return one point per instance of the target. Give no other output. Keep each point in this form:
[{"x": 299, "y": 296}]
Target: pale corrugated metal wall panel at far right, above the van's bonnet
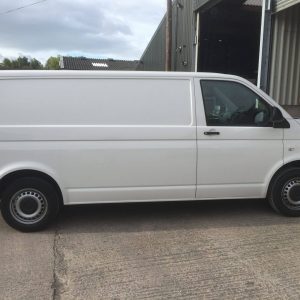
[{"x": 285, "y": 61}]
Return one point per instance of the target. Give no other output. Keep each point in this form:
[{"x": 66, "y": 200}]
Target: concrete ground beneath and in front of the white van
[{"x": 195, "y": 250}]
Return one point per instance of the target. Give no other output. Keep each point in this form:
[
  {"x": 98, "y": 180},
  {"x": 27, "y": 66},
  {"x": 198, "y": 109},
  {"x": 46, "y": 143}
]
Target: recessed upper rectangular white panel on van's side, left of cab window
[{"x": 105, "y": 102}]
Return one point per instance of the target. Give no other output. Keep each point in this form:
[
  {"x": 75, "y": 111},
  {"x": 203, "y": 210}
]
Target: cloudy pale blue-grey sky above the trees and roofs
[{"x": 119, "y": 29}]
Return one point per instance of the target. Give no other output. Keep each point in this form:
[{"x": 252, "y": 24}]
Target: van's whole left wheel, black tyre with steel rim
[{"x": 29, "y": 204}]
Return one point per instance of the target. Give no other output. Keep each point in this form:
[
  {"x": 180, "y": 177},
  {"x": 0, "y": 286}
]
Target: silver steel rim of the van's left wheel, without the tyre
[{"x": 18, "y": 200}]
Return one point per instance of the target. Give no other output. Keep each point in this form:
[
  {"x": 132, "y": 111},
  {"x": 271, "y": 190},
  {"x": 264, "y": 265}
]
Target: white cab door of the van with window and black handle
[{"x": 238, "y": 149}]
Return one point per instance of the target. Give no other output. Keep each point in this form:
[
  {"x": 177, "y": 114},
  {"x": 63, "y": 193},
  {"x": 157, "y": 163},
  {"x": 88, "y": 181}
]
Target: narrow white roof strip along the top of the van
[{"x": 106, "y": 74}]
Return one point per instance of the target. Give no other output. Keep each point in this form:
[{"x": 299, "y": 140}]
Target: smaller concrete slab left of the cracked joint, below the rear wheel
[{"x": 26, "y": 264}]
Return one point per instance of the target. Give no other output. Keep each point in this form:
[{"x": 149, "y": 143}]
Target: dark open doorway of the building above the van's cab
[{"x": 230, "y": 37}]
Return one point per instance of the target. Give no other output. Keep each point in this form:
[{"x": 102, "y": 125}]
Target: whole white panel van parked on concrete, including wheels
[{"x": 104, "y": 137}]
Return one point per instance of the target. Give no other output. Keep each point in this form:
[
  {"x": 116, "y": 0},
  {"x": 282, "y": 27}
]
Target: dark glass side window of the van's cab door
[{"x": 229, "y": 103}]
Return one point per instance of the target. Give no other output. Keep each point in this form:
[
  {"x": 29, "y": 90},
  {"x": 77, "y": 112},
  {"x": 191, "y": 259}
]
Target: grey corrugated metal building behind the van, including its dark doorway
[{"x": 255, "y": 39}]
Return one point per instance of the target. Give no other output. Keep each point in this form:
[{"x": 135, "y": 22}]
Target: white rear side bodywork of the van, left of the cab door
[{"x": 108, "y": 139}]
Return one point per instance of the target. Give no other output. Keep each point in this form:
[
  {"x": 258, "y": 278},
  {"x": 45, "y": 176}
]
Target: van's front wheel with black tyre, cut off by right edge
[{"x": 284, "y": 193}]
